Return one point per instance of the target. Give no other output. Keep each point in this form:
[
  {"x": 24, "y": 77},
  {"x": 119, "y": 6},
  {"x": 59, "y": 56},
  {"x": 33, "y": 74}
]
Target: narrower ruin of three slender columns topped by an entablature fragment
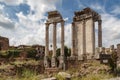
[{"x": 54, "y": 17}]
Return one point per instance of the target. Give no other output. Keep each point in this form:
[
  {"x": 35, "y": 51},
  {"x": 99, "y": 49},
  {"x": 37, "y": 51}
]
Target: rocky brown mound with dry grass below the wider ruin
[{"x": 90, "y": 68}]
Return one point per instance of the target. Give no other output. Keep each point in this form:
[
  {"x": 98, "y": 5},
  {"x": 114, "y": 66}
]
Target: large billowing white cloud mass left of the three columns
[{"x": 28, "y": 30}]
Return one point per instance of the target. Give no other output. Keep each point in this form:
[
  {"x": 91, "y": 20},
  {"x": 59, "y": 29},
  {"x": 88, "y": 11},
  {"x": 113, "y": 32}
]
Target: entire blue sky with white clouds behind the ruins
[{"x": 22, "y": 21}]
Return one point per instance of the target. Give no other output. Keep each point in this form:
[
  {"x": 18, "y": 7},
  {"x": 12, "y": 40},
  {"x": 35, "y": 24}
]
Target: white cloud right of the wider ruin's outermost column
[{"x": 110, "y": 29}]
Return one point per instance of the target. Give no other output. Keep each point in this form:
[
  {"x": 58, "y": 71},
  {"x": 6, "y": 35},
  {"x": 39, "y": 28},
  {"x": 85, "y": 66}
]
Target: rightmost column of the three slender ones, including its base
[{"x": 62, "y": 57}]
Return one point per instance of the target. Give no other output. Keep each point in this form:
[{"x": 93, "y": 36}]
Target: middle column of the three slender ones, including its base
[{"x": 53, "y": 61}]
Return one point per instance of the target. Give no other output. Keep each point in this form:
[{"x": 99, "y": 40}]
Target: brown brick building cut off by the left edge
[{"x": 4, "y": 43}]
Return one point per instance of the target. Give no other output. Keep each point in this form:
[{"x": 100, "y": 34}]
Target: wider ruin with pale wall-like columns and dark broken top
[{"x": 83, "y": 34}]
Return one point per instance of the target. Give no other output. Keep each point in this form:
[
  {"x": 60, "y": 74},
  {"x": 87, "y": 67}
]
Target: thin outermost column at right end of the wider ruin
[{"x": 99, "y": 33}]
